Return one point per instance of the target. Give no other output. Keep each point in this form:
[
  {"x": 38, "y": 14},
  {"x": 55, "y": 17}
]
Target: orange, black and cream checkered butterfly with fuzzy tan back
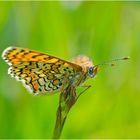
[{"x": 42, "y": 73}]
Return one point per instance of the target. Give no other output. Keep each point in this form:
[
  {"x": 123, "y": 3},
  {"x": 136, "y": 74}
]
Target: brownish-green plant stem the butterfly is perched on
[{"x": 66, "y": 101}]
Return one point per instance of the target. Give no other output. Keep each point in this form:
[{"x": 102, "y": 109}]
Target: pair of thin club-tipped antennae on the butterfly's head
[{"x": 111, "y": 61}]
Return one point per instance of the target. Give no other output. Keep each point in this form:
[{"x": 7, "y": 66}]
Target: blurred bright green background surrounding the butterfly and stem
[{"x": 100, "y": 30}]
